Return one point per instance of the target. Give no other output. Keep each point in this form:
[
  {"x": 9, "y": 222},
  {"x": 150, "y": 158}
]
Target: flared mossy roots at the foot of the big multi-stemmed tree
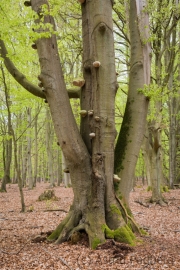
[{"x": 94, "y": 224}]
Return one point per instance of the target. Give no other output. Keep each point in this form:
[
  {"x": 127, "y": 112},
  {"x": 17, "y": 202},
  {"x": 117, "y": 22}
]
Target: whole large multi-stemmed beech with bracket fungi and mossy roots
[{"x": 89, "y": 153}]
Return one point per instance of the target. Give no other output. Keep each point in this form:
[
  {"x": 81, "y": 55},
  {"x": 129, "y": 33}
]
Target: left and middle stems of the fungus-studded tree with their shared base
[{"x": 90, "y": 160}]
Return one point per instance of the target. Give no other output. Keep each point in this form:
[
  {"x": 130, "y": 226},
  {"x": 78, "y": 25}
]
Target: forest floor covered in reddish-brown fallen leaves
[{"x": 23, "y": 244}]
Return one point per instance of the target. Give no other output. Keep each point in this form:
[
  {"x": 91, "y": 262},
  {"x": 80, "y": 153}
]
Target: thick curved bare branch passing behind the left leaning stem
[{"x": 23, "y": 81}]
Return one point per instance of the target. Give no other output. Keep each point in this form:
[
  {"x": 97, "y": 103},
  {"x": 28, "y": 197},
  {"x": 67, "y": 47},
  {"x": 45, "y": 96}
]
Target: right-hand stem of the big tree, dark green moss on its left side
[{"x": 134, "y": 121}]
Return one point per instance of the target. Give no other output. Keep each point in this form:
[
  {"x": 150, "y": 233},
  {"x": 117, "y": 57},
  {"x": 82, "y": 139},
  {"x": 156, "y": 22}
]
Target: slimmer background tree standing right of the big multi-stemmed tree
[{"x": 163, "y": 32}]
